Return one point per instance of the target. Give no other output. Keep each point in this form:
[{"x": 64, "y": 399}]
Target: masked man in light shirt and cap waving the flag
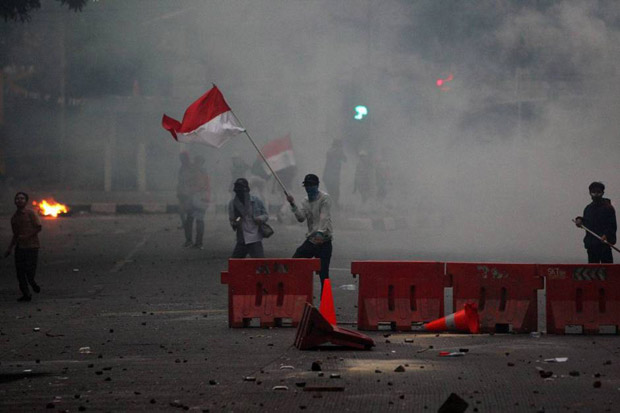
[{"x": 316, "y": 211}]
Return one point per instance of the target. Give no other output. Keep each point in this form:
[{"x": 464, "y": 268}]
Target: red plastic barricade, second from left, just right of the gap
[{"x": 398, "y": 293}]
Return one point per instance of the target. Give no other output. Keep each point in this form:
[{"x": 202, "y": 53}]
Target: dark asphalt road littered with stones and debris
[{"x": 128, "y": 320}]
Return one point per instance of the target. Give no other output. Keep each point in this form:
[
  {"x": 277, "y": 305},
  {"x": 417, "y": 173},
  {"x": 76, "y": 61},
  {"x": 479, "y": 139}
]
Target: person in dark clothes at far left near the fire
[{"x": 26, "y": 227}]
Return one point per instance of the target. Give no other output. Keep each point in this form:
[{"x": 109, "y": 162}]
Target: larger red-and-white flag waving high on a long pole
[{"x": 208, "y": 120}]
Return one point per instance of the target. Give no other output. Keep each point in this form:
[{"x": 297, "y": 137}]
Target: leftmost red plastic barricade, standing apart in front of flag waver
[{"x": 274, "y": 291}]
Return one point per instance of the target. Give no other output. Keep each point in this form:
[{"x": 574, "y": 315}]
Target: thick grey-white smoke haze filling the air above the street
[{"x": 493, "y": 168}]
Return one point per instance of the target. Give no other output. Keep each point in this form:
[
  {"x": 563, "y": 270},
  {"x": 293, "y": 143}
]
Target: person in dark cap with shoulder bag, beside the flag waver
[{"x": 246, "y": 213}]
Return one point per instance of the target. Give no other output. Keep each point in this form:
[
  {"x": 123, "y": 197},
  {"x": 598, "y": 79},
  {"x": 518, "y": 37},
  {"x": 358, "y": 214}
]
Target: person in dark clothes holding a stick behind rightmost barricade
[{"x": 599, "y": 221}]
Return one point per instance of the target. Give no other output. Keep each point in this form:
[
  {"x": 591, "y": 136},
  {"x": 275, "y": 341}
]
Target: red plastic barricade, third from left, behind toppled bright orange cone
[{"x": 505, "y": 294}]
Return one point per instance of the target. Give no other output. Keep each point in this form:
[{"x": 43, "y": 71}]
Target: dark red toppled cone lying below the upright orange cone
[{"x": 314, "y": 330}]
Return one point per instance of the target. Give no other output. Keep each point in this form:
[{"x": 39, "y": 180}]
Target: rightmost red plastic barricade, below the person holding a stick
[{"x": 582, "y": 298}]
